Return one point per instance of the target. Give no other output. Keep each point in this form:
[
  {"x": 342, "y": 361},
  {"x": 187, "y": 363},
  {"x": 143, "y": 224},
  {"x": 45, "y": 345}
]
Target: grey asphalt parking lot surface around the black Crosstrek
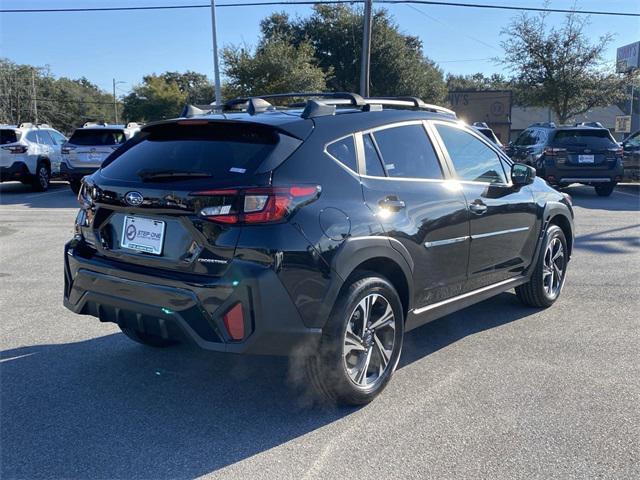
[{"x": 494, "y": 391}]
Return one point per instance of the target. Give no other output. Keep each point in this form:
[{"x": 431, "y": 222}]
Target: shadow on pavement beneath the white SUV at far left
[{"x": 59, "y": 195}]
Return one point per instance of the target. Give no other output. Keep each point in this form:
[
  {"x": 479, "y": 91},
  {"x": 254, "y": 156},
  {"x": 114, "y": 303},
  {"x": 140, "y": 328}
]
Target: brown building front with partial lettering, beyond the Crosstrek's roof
[{"x": 490, "y": 106}]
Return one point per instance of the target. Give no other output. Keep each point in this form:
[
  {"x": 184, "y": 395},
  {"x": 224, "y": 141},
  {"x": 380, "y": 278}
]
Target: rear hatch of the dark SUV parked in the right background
[{"x": 586, "y": 148}]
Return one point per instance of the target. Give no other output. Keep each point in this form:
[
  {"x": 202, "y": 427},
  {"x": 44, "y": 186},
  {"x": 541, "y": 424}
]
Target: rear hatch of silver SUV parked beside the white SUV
[{"x": 89, "y": 147}]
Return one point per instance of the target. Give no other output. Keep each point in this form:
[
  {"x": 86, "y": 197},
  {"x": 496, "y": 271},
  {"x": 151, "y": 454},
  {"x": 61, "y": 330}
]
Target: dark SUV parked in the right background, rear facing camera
[{"x": 583, "y": 153}]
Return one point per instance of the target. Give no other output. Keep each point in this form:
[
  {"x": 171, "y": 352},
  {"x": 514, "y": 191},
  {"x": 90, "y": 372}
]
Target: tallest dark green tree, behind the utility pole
[{"x": 398, "y": 64}]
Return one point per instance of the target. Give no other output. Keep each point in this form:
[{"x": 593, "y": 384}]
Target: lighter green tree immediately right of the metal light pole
[{"x": 276, "y": 66}]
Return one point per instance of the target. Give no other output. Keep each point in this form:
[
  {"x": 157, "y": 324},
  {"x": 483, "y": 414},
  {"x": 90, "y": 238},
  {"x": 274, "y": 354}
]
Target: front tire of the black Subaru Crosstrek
[{"x": 536, "y": 293}]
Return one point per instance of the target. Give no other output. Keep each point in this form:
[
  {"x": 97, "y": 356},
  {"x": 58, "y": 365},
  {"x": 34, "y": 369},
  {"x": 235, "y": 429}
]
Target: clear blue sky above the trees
[{"x": 127, "y": 45}]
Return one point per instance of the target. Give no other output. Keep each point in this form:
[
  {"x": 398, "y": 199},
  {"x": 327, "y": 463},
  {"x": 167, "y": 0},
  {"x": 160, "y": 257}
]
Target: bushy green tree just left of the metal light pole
[{"x": 155, "y": 99}]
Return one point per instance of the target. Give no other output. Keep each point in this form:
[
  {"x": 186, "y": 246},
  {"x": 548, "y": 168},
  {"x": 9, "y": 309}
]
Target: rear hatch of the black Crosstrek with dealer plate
[{"x": 154, "y": 200}]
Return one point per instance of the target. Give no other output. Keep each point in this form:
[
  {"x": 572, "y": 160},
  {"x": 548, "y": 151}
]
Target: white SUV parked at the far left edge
[{"x": 30, "y": 154}]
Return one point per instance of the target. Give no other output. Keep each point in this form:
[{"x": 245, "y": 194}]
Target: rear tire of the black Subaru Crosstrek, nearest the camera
[{"x": 327, "y": 371}]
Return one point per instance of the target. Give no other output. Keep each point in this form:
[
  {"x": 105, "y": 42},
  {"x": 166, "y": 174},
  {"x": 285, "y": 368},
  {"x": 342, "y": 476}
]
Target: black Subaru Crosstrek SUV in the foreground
[{"x": 324, "y": 230}]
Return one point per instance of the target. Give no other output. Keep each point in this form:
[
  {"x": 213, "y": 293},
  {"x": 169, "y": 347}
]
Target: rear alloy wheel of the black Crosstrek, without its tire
[{"x": 369, "y": 340}]
